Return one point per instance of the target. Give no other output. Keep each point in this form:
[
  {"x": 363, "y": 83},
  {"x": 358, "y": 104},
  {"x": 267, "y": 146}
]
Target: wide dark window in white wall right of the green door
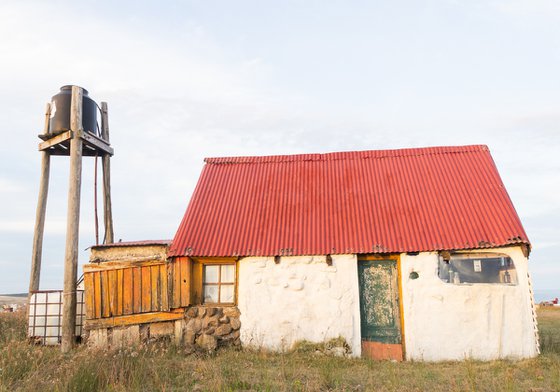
[{"x": 478, "y": 268}]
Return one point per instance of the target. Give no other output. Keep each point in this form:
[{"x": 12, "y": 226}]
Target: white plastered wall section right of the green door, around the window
[{"x": 452, "y": 322}]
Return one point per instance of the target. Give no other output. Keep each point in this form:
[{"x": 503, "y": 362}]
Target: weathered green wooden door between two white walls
[{"x": 379, "y": 301}]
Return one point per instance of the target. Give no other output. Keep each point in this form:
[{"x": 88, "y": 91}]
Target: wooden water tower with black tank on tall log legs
[{"x": 71, "y": 129}]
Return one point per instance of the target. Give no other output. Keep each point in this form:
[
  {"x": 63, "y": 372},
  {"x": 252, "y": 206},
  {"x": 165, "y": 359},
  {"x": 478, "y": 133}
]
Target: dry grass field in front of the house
[{"x": 160, "y": 368}]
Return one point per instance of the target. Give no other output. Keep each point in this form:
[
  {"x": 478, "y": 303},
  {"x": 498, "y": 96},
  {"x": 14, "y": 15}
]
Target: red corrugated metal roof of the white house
[{"x": 419, "y": 199}]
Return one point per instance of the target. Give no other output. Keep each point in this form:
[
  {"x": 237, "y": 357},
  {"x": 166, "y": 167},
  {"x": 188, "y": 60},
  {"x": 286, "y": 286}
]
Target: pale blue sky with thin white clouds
[{"x": 186, "y": 80}]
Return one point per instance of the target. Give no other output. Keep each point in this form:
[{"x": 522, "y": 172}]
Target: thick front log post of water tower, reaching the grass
[{"x": 72, "y": 223}]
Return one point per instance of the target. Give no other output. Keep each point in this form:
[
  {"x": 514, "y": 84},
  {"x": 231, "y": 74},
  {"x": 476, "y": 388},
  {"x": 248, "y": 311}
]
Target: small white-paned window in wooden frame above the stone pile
[{"x": 218, "y": 284}]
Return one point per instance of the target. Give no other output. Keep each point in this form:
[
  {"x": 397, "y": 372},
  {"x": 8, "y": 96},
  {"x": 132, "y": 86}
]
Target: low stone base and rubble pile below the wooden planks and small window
[{"x": 202, "y": 327}]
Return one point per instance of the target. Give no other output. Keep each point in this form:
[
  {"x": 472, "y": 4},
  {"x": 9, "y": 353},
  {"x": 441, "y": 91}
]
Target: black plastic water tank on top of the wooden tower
[{"x": 60, "y": 111}]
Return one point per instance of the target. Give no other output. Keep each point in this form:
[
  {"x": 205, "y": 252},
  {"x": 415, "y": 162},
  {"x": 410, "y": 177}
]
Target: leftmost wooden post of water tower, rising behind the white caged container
[{"x": 36, "y": 256}]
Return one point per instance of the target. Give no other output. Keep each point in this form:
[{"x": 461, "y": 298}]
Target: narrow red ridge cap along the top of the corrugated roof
[{"x": 349, "y": 155}]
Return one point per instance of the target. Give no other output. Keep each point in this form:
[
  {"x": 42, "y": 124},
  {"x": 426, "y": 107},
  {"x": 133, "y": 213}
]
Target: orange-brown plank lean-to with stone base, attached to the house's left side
[{"x": 134, "y": 292}]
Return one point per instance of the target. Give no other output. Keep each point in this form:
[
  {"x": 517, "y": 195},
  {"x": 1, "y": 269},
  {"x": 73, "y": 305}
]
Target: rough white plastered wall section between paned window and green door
[{"x": 301, "y": 298}]
